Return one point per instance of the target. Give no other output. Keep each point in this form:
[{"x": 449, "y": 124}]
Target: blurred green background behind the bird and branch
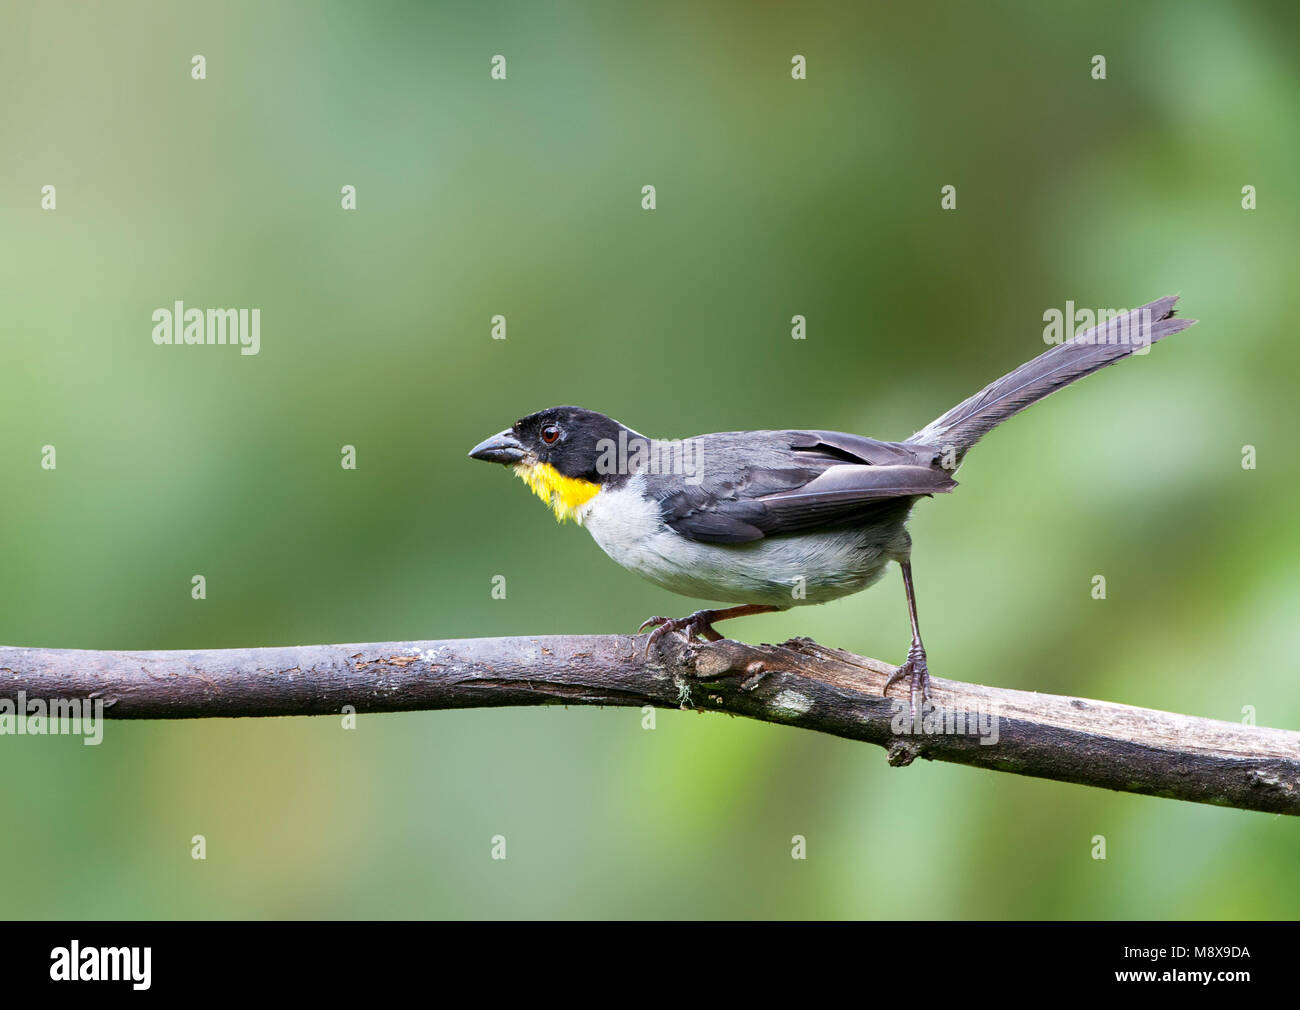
[{"x": 523, "y": 198}]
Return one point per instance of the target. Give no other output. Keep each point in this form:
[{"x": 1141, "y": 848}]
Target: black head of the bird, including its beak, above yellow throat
[{"x": 573, "y": 440}]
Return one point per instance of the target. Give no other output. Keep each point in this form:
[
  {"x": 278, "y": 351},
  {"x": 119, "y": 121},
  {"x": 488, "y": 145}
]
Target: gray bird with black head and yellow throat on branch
[{"x": 768, "y": 521}]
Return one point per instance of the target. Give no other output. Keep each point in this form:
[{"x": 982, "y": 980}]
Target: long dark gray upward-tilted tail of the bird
[{"x": 964, "y": 426}]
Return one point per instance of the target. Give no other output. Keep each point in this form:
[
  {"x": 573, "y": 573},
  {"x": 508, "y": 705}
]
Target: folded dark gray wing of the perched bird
[{"x": 759, "y": 484}]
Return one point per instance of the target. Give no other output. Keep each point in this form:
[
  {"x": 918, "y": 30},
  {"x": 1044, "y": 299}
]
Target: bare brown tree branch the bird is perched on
[{"x": 799, "y": 684}]
